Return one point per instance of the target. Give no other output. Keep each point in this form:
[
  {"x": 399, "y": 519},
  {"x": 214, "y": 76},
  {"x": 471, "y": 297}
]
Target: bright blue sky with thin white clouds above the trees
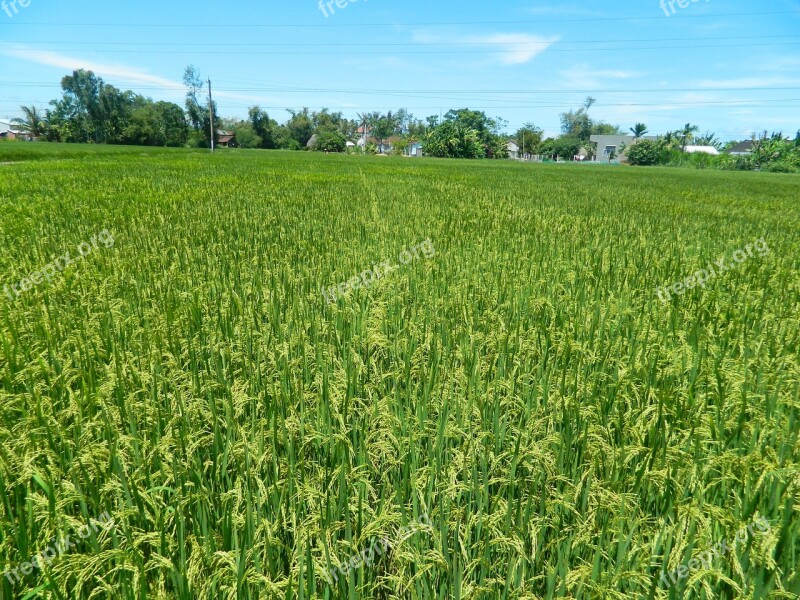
[{"x": 730, "y": 66}]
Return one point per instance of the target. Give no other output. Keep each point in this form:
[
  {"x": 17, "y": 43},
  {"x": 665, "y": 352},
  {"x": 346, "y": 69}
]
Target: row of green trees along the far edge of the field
[{"x": 92, "y": 111}]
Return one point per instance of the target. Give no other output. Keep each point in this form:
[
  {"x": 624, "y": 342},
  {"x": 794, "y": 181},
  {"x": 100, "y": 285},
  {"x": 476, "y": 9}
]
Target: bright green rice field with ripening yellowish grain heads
[{"x": 517, "y": 415}]
